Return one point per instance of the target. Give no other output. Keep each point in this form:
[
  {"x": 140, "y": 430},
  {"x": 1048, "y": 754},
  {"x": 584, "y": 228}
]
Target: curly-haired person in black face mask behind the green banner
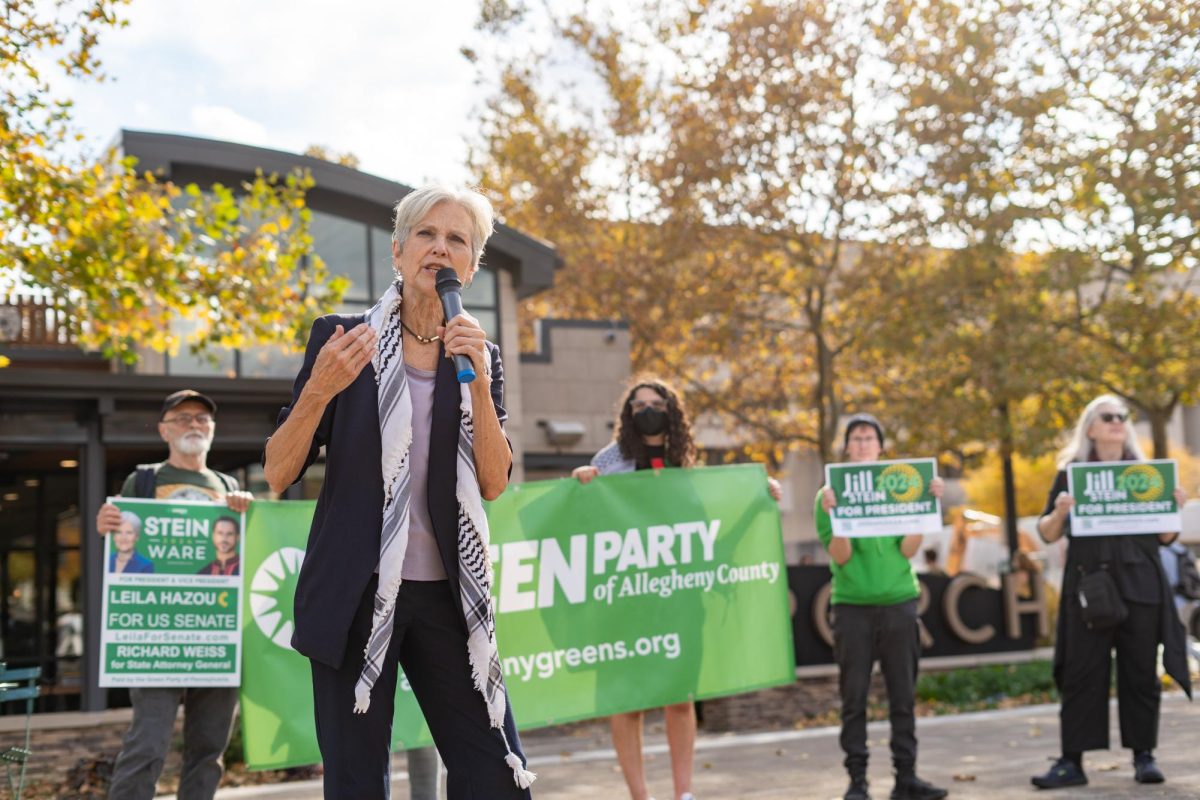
[{"x": 652, "y": 432}]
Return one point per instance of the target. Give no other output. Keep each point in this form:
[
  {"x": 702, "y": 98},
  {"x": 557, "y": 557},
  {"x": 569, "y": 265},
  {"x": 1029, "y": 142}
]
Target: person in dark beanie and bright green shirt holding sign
[{"x": 874, "y": 606}]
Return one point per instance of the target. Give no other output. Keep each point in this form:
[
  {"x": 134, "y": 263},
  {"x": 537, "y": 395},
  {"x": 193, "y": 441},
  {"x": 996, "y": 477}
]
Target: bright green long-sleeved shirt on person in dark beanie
[{"x": 878, "y": 574}]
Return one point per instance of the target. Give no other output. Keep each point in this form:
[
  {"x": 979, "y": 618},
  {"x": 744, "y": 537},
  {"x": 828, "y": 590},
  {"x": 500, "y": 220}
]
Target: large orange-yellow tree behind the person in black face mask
[{"x": 725, "y": 197}]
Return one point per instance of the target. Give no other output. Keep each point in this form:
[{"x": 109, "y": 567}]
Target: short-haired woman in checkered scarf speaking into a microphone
[{"x": 397, "y": 570}]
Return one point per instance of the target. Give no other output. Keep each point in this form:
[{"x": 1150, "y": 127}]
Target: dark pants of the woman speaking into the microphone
[{"x": 430, "y": 641}]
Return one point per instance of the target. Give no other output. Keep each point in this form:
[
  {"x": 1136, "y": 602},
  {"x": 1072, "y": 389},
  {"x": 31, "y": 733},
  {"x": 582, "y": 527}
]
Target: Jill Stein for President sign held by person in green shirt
[{"x": 885, "y": 498}]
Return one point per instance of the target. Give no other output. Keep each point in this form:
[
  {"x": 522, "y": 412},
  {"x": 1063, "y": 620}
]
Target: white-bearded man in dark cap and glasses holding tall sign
[{"x": 187, "y": 424}]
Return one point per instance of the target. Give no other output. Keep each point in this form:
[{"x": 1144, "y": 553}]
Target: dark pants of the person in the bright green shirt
[{"x": 861, "y": 635}]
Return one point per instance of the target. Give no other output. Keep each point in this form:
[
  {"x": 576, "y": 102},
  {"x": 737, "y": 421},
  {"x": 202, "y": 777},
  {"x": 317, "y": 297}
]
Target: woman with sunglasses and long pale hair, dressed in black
[{"x": 1083, "y": 655}]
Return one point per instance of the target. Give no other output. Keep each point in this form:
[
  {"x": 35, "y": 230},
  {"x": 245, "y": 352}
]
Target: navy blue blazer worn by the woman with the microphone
[{"x": 344, "y": 543}]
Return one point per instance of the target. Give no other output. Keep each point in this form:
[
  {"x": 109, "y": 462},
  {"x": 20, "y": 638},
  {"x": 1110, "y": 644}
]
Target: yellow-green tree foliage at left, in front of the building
[{"x": 130, "y": 254}]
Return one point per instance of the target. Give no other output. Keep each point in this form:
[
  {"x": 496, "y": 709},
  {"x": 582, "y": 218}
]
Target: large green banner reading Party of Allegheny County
[{"x": 629, "y": 593}]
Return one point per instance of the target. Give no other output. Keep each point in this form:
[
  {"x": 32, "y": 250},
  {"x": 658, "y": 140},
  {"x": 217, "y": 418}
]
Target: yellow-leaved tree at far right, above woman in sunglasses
[{"x": 1126, "y": 233}]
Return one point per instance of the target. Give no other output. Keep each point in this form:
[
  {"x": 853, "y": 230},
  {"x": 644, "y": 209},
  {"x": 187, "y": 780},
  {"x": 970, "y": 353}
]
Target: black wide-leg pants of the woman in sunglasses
[{"x": 1088, "y": 675}]
